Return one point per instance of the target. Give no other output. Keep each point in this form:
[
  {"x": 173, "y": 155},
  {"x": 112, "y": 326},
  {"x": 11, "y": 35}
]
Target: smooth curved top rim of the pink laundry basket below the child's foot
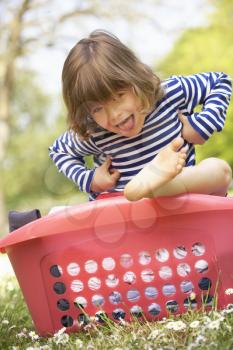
[{"x": 84, "y": 215}]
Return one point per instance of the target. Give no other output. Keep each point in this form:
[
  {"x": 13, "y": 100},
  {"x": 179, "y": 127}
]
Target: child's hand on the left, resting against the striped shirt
[{"x": 104, "y": 179}]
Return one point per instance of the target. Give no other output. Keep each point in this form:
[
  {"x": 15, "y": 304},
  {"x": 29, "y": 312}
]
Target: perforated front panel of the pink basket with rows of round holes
[{"x": 150, "y": 282}]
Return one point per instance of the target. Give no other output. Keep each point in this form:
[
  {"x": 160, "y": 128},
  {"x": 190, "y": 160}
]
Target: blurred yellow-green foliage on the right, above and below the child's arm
[{"x": 209, "y": 48}]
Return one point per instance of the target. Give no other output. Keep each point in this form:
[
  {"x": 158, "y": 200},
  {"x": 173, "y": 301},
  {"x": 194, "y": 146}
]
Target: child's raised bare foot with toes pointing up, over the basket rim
[{"x": 163, "y": 168}]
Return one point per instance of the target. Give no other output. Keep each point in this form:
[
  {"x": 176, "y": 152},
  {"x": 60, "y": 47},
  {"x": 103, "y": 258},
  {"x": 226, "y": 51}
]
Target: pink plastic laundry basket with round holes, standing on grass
[{"x": 125, "y": 259}]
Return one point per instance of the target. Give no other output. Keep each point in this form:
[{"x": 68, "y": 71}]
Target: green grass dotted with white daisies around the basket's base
[{"x": 193, "y": 330}]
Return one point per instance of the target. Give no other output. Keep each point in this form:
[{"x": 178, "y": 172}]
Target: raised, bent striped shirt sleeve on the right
[{"x": 213, "y": 92}]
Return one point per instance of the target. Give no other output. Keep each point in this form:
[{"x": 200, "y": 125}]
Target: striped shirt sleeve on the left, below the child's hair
[{"x": 68, "y": 152}]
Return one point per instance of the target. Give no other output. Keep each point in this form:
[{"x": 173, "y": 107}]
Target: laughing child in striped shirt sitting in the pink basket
[{"x": 141, "y": 131}]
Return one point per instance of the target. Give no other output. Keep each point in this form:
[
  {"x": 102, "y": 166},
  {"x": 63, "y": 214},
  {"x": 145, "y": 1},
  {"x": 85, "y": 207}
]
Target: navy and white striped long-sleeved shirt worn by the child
[{"x": 161, "y": 126}]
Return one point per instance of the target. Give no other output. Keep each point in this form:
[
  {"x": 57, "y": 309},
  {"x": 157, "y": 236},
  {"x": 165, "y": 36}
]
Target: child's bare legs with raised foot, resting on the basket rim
[{"x": 162, "y": 177}]
